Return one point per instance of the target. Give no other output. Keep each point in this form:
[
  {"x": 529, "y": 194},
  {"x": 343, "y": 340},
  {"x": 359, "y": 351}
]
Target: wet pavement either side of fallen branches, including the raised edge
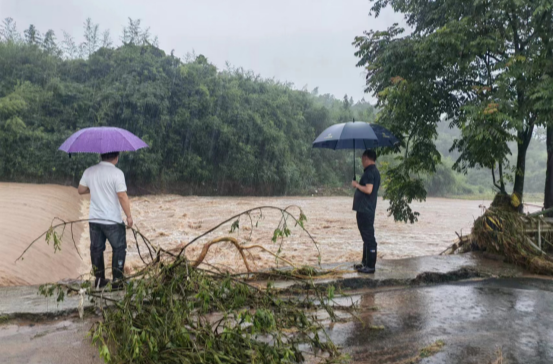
[{"x": 407, "y": 306}]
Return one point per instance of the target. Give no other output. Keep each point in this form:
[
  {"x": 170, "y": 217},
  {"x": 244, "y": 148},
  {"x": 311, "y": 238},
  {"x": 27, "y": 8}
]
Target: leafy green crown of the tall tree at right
[{"x": 478, "y": 64}]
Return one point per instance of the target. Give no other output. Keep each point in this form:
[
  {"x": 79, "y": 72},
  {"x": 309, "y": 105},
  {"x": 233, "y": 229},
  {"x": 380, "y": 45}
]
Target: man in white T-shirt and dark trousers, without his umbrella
[{"x": 108, "y": 195}]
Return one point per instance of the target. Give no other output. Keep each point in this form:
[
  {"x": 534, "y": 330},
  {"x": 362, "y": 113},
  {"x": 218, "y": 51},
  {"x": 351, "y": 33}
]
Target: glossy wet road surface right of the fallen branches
[{"x": 476, "y": 321}]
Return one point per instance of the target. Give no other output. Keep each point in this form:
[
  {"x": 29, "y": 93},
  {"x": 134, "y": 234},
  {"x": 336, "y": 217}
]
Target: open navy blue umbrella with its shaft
[{"x": 355, "y": 134}]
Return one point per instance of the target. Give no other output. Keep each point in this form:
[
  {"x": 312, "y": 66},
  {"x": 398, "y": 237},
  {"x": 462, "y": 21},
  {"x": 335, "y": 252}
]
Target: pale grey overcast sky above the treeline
[{"x": 306, "y": 42}]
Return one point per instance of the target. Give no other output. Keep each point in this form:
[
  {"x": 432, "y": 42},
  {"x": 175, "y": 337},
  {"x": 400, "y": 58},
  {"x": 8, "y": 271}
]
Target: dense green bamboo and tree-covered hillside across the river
[{"x": 210, "y": 131}]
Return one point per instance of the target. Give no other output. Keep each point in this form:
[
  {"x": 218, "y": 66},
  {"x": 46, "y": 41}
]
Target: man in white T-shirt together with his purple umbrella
[{"x": 108, "y": 195}]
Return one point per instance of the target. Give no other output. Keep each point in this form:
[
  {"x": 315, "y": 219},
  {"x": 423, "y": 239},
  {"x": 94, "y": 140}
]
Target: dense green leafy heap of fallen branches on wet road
[{"x": 187, "y": 315}]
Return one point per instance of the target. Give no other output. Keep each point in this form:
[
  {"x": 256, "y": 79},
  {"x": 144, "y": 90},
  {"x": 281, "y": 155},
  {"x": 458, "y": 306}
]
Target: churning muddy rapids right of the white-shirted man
[{"x": 171, "y": 221}]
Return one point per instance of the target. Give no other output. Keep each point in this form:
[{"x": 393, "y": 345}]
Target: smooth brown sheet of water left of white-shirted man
[{"x": 26, "y": 211}]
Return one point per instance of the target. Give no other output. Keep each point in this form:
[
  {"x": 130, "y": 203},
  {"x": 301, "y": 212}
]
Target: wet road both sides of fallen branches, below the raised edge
[{"x": 474, "y": 319}]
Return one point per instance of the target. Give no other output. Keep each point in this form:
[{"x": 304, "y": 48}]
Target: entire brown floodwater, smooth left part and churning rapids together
[{"x": 170, "y": 221}]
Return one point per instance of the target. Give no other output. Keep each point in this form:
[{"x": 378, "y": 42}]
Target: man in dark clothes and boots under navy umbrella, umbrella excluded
[{"x": 364, "y": 203}]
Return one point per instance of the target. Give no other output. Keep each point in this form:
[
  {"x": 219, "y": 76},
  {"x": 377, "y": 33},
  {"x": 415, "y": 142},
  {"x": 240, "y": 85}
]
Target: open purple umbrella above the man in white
[{"x": 102, "y": 140}]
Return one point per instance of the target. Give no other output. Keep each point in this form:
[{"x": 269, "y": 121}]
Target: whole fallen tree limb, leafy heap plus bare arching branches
[{"x": 172, "y": 311}]
